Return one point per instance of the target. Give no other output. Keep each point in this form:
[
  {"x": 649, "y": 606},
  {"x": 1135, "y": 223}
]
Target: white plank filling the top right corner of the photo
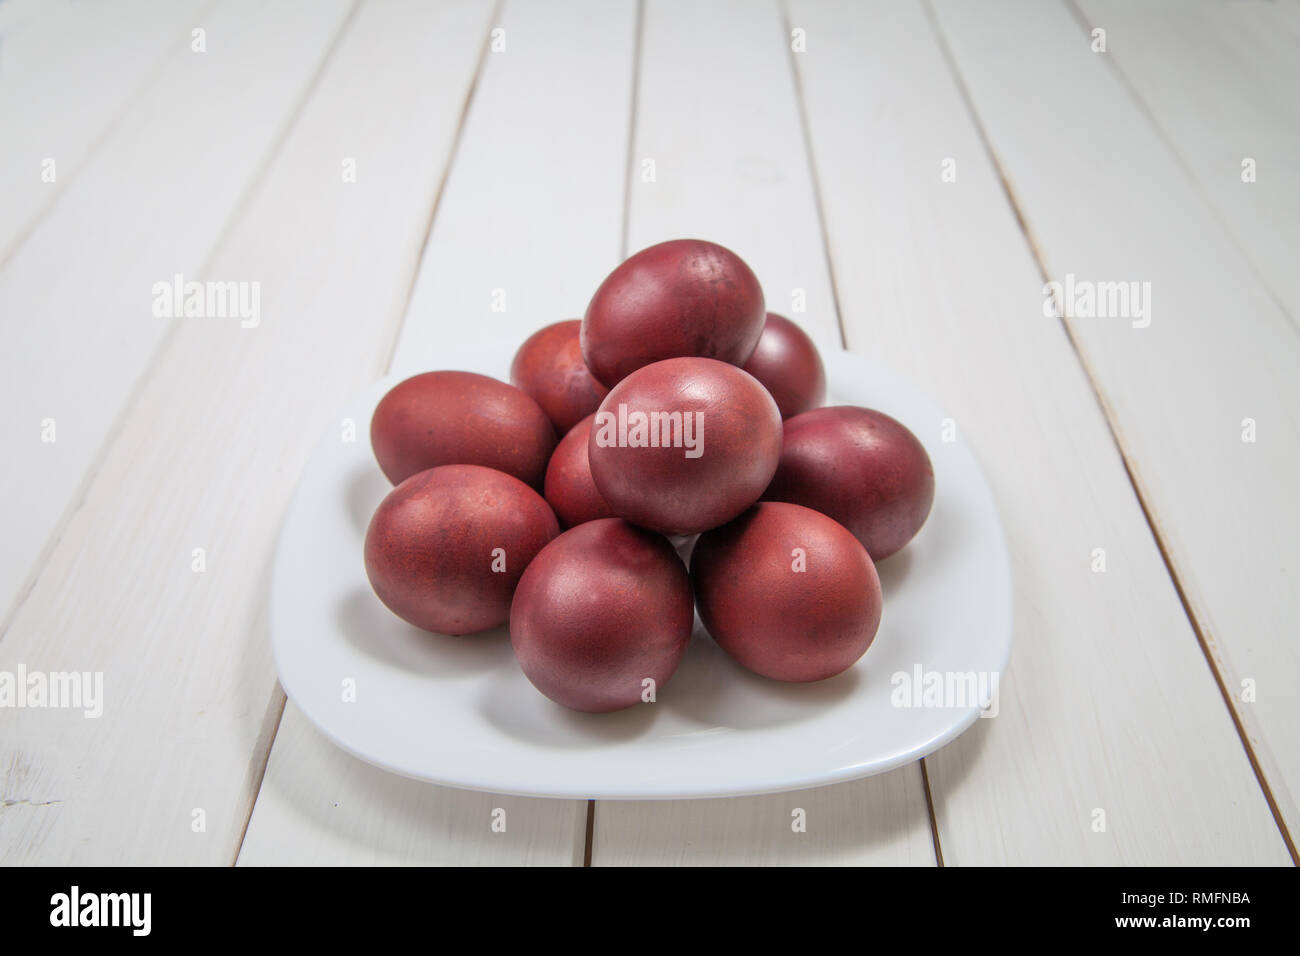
[{"x": 1220, "y": 81}]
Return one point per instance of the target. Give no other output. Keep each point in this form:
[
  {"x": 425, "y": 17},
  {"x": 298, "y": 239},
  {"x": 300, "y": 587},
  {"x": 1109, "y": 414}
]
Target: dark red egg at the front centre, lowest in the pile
[{"x": 604, "y": 609}]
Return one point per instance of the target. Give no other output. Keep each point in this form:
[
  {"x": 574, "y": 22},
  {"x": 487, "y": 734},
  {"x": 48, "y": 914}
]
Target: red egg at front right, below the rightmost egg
[{"x": 787, "y": 592}]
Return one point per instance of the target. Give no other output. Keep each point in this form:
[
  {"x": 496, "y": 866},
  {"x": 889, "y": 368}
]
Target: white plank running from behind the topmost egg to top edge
[{"x": 718, "y": 119}]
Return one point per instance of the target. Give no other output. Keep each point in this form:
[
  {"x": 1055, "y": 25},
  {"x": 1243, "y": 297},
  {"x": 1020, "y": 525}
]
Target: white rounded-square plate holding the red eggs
[{"x": 460, "y": 712}]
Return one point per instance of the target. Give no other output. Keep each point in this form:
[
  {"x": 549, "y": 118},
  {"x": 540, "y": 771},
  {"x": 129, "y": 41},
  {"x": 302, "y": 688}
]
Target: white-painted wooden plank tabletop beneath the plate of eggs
[{"x": 904, "y": 178}]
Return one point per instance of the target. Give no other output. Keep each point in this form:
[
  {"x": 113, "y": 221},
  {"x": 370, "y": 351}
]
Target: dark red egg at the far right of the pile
[{"x": 860, "y": 468}]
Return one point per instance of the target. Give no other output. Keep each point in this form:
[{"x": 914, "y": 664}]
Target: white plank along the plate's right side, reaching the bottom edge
[{"x": 1108, "y": 703}]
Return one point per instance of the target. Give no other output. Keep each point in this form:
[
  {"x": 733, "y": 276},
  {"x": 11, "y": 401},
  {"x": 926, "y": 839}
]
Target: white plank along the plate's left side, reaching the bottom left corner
[{"x": 207, "y": 456}]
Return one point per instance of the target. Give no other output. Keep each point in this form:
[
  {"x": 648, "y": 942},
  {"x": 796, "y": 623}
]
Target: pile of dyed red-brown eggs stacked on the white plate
[{"x": 684, "y": 410}]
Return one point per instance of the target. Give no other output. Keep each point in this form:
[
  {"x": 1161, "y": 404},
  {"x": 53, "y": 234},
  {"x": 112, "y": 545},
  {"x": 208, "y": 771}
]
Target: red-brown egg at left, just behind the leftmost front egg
[{"x": 461, "y": 418}]
